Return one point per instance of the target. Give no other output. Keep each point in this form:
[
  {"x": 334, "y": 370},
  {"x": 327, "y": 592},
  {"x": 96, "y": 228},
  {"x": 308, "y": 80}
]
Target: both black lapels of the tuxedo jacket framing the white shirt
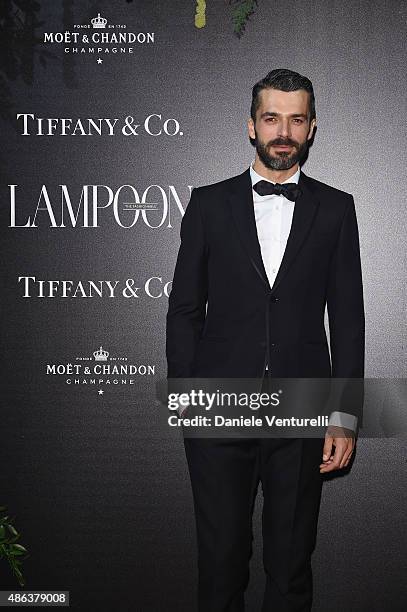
[{"x": 241, "y": 204}]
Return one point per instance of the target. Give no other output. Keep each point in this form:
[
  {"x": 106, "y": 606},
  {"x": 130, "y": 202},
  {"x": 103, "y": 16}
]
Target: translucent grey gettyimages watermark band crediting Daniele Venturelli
[{"x": 285, "y": 407}]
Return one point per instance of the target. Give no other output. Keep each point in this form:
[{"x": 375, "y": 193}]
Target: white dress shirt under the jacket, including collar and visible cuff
[{"x": 273, "y": 215}]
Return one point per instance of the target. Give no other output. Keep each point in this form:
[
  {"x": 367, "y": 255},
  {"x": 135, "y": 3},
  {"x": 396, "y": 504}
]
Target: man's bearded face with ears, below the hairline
[{"x": 282, "y": 128}]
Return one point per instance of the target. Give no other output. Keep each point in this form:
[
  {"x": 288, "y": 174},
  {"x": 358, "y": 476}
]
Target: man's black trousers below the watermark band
[{"x": 225, "y": 474}]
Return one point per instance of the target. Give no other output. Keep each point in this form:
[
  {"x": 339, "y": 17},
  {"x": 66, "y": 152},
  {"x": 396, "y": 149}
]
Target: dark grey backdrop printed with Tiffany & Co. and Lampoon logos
[{"x": 111, "y": 112}]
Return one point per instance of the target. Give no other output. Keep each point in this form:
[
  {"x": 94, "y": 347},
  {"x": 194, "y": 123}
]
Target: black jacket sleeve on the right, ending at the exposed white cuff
[{"x": 346, "y": 316}]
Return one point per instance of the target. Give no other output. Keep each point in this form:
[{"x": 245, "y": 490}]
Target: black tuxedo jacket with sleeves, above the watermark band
[{"x": 225, "y": 320}]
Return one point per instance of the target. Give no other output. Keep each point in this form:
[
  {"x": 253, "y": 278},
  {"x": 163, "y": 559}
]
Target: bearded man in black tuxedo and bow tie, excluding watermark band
[{"x": 261, "y": 255}]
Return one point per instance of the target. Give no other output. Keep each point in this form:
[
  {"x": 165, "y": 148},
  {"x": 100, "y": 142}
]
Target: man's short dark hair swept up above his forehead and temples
[{"x": 284, "y": 80}]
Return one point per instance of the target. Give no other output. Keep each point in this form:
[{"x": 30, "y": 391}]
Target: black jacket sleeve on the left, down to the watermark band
[{"x": 187, "y": 301}]
